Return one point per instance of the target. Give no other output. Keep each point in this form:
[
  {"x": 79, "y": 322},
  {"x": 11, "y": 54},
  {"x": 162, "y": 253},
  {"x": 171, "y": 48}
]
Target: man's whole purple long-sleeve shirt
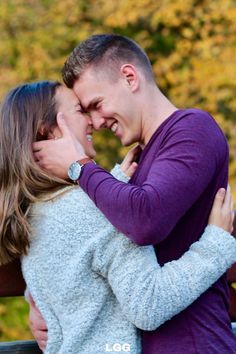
[{"x": 167, "y": 203}]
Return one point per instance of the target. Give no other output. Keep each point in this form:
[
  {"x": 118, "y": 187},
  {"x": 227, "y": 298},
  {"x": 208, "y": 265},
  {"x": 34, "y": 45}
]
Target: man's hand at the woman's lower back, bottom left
[{"x": 37, "y": 325}]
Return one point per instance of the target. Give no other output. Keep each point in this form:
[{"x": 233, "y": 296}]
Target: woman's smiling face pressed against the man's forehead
[{"x": 79, "y": 123}]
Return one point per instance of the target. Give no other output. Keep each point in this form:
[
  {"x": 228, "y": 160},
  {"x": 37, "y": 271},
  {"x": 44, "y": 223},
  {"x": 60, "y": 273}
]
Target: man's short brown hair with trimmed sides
[{"x": 108, "y": 51}]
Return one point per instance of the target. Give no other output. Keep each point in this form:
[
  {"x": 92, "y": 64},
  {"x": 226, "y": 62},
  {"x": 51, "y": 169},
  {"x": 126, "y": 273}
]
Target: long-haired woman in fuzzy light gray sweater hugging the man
[{"x": 92, "y": 285}]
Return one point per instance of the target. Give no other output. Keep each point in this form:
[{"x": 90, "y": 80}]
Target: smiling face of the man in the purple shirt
[{"x": 110, "y": 104}]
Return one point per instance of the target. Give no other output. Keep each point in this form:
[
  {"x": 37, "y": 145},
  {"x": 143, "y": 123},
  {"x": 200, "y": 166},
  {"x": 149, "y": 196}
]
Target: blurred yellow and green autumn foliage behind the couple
[{"x": 191, "y": 44}]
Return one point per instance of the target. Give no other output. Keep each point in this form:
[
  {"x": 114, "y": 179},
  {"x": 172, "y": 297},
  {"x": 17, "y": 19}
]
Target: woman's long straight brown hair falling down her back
[{"x": 25, "y": 110}]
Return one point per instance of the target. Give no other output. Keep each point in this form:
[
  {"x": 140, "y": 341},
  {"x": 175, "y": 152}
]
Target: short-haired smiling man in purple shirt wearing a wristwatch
[{"x": 183, "y": 163}]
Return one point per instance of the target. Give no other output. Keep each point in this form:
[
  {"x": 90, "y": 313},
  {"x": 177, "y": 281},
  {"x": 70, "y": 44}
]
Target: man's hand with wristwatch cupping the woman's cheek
[{"x": 55, "y": 156}]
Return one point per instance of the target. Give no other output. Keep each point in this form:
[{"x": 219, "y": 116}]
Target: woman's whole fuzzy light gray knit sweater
[{"x": 94, "y": 286}]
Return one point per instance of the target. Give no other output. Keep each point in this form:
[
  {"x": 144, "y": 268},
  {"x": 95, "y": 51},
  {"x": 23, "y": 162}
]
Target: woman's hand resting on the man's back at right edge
[{"x": 222, "y": 213}]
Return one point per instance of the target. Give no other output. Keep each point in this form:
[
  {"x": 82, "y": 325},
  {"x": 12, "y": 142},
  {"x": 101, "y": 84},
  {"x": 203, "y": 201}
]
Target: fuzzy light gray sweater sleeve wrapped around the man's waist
[{"x": 149, "y": 294}]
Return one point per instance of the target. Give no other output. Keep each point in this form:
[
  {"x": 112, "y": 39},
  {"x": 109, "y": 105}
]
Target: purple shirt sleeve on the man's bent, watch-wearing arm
[{"x": 181, "y": 170}]
